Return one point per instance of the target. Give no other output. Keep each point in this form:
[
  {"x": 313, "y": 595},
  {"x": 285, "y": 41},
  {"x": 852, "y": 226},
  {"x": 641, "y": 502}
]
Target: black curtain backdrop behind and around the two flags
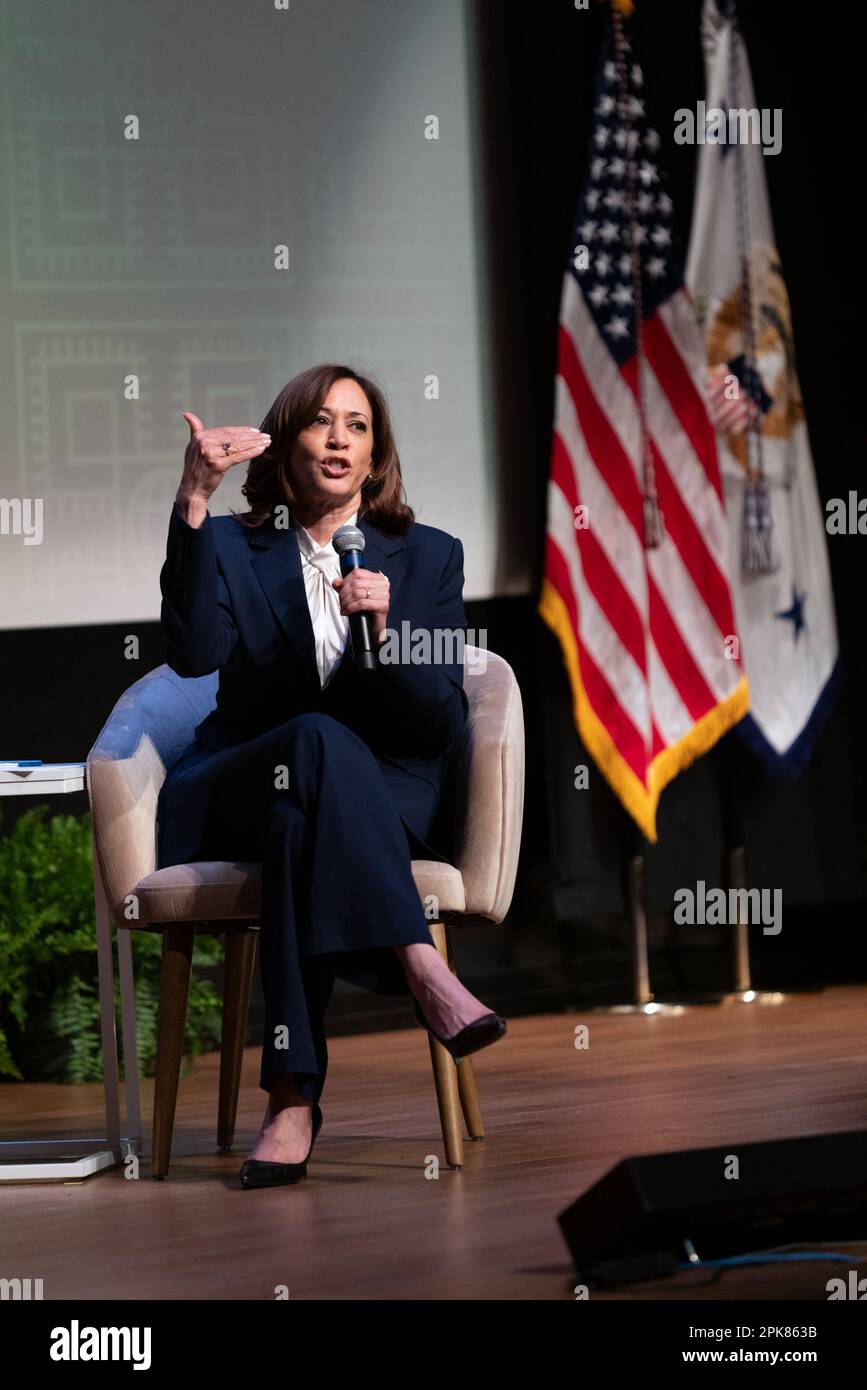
[{"x": 807, "y": 837}]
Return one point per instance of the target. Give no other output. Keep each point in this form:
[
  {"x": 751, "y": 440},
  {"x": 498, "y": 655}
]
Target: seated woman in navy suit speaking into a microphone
[{"x": 330, "y": 775}]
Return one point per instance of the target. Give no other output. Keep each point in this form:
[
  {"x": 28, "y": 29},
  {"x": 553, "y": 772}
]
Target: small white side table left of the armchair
[{"x": 67, "y": 1160}]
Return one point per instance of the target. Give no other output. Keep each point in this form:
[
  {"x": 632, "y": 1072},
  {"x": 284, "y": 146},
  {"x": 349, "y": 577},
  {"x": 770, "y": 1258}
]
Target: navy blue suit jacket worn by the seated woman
[{"x": 234, "y": 601}]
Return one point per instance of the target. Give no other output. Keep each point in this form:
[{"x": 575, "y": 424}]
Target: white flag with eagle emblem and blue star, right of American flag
[{"x": 777, "y": 558}]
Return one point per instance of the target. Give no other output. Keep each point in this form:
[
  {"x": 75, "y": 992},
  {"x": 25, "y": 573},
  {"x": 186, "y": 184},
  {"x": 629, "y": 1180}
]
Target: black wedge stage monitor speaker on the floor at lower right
[{"x": 636, "y": 1223}]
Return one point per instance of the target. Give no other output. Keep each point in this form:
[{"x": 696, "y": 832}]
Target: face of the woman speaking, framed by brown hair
[{"x": 333, "y": 457}]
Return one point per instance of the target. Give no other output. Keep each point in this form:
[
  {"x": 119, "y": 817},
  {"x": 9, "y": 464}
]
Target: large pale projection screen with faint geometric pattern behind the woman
[{"x": 156, "y": 159}]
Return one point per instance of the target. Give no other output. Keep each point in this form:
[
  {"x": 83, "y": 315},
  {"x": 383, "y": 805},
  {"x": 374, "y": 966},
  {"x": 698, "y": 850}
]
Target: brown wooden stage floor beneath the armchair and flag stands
[{"x": 369, "y": 1225}]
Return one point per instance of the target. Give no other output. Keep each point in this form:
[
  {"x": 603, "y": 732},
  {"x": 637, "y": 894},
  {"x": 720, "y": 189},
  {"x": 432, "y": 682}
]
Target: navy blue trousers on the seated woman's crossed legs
[{"x": 309, "y": 801}]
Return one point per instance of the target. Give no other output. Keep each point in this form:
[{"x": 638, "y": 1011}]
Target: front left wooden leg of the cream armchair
[{"x": 179, "y": 943}]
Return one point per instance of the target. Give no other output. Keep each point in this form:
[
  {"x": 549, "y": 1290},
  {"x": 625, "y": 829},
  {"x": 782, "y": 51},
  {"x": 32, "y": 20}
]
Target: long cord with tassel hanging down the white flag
[{"x": 758, "y": 548}]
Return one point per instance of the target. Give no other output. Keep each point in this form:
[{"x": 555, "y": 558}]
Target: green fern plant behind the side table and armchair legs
[{"x": 49, "y": 996}]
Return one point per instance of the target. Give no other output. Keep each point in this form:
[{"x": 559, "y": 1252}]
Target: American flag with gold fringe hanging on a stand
[{"x": 648, "y": 632}]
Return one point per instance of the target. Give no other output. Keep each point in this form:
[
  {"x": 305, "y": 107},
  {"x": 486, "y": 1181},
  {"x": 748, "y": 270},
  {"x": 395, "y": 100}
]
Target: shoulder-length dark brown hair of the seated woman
[{"x": 298, "y": 405}]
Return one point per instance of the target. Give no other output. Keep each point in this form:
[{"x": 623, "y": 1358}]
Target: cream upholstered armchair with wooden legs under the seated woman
[{"x": 145, "y": 735}]
